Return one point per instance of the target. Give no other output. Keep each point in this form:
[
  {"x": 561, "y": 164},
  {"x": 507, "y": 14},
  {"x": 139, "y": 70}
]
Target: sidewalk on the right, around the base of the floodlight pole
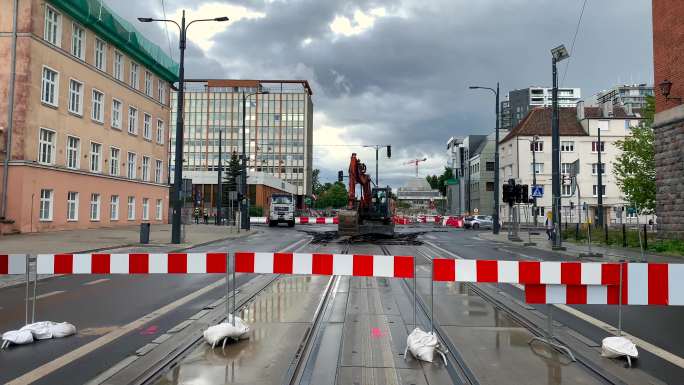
[{"x": 574, "y": 249}]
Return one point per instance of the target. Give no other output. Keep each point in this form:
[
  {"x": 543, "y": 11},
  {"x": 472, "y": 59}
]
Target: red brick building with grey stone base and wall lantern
[{"x": 668, "y": 58}]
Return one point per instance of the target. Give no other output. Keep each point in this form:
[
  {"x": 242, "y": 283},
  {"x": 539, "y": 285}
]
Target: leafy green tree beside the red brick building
[{"x": 634, "y": 168}]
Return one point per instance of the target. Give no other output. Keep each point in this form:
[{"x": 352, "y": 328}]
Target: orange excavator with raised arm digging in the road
[{"x": 372, "y": 213}]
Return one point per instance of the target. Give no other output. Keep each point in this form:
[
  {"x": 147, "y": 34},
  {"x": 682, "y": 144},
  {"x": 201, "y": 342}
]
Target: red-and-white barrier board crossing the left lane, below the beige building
[{"x": 135, "y": 263}]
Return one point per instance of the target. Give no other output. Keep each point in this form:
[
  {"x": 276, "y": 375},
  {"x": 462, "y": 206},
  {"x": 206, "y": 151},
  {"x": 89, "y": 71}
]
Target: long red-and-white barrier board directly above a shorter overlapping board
[{"x": 525, "y": 272}]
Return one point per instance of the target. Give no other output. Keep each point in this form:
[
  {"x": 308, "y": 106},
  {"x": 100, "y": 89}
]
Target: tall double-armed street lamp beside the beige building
[{"x": 178, "y": 170}]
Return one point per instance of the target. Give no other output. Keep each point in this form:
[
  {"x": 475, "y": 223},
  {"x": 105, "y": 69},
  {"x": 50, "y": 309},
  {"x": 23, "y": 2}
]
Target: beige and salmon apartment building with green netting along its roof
[{"x": 90, "y": 113}]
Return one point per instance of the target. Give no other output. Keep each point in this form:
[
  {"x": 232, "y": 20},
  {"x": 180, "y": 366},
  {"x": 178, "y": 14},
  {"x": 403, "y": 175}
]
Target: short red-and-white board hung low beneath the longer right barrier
[{"x": 572, "y": 294}]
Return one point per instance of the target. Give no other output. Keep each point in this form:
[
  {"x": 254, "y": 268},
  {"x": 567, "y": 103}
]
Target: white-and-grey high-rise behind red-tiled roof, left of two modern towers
[{"x": 523, "y": 100}]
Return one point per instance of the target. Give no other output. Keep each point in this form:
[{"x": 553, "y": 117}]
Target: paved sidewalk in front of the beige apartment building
[{"x": 71, "y": 241}]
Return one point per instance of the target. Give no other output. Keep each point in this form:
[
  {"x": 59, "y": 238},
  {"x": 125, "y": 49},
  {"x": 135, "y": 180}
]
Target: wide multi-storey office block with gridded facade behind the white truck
[{"x": 278, "y": 127}]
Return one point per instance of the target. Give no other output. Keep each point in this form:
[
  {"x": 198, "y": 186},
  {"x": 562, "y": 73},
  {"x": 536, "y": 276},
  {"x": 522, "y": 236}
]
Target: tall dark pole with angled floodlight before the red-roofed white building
[{"x": 557, "y": 54}]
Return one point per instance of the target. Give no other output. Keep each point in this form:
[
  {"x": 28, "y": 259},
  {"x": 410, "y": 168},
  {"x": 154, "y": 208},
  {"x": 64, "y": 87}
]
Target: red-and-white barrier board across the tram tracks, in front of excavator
[{"x": 325, "y": 264}]
